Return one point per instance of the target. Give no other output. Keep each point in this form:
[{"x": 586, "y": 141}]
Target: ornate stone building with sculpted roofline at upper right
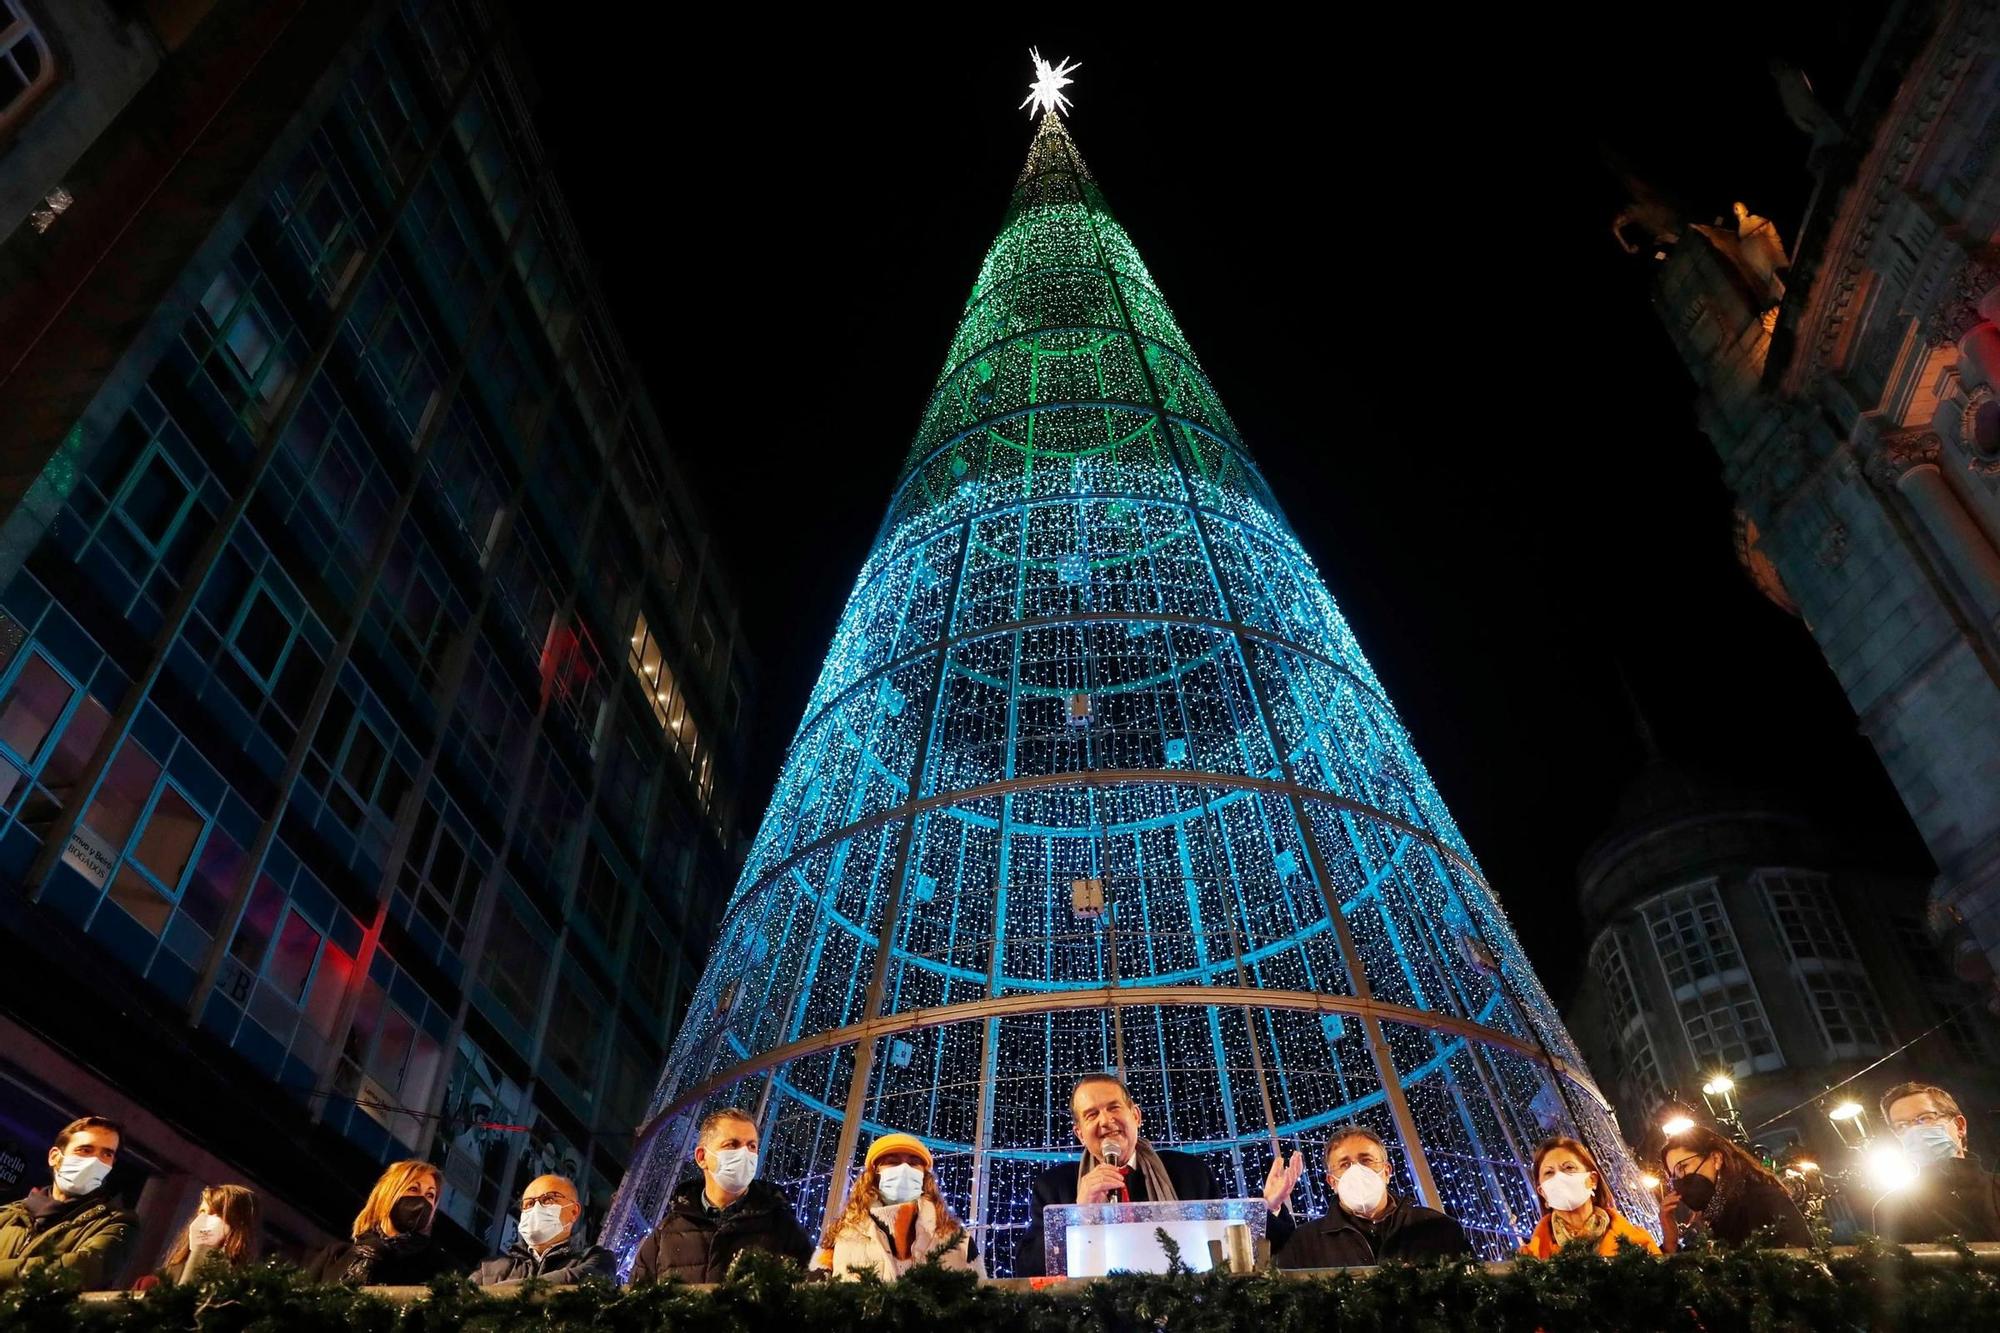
[{"x": 1849, "y": 385}]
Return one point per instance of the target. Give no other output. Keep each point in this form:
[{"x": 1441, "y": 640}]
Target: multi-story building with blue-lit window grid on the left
[{"x": 369, "y": 704}]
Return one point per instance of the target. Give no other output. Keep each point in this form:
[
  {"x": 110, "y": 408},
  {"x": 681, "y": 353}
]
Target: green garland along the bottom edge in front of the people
[{"x": 1699, "y": 1290}]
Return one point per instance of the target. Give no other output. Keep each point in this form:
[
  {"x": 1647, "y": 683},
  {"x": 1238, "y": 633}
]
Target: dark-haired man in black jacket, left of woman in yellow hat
[{"x": 723, "y": 1214}]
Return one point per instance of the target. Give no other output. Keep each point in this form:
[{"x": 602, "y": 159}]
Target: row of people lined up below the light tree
[{"x": 897, "y": 1216}]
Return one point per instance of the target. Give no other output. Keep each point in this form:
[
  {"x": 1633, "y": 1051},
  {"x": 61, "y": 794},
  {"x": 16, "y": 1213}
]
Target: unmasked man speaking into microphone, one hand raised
[{"x": 1121, "y": 1168}]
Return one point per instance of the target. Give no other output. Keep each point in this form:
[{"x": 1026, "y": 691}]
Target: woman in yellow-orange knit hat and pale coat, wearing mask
[{"x": 895, "y": 1218}]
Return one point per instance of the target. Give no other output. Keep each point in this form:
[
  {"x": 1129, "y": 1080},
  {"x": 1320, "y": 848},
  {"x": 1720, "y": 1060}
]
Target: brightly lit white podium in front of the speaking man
[{"x": 1091, "y": 1240}]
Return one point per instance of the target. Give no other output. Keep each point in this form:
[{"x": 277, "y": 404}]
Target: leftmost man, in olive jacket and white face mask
[{"x": 73, "y": 1224}]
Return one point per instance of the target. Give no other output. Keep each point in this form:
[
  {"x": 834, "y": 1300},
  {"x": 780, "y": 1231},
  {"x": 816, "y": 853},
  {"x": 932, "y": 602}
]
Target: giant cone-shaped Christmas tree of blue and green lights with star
[{"x": 1089, "y": 657}]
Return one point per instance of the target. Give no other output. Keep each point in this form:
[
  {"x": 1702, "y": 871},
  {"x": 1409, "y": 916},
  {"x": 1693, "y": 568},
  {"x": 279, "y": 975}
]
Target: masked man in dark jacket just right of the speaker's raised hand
[{"x": 1367, "y": 1224}]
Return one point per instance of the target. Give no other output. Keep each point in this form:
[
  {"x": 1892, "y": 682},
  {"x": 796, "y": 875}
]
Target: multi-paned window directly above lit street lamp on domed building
[{"x": 1705, "y": 970}]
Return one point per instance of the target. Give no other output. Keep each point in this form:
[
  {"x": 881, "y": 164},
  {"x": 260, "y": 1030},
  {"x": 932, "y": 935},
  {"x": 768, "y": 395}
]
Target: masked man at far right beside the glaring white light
[{"x": 1955, "y": 1194}]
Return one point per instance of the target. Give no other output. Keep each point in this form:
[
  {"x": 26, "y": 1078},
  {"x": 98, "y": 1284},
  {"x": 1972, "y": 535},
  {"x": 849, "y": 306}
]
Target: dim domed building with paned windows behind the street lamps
[{"x": 1729, "y": 936}]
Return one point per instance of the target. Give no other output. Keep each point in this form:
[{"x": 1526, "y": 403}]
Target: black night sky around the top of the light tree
[{"x": 1393, "y": 257}]
